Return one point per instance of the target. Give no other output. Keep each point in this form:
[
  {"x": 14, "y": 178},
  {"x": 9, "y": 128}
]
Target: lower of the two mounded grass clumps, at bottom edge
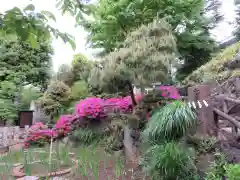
[{"x": 169, "y": 161}]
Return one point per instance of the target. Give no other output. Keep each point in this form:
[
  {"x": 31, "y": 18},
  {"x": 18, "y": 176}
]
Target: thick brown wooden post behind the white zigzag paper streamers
[{"x": 207, "y": 124}]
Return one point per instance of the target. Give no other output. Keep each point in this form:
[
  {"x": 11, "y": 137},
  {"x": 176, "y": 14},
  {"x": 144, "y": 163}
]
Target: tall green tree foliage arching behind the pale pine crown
[{"x": 191, "y": 22}]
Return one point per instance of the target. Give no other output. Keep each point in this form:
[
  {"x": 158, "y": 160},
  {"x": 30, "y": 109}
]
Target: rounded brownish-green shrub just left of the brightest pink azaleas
[{"x": 55, "y": 100}]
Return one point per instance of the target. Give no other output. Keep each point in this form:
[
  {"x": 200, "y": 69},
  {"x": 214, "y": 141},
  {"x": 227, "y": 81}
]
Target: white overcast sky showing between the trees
[{"x": 64, "y": 53}]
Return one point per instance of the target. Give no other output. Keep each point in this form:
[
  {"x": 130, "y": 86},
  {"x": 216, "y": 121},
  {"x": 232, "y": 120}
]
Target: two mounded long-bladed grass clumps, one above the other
[{"x": 166, "y": 158}]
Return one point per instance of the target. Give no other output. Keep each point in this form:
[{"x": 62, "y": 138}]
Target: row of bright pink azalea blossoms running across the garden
[{"x": 89, "y": 108}]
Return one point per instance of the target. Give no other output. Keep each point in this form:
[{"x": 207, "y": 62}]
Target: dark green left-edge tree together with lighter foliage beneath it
[{"x": 21, "y": 65}]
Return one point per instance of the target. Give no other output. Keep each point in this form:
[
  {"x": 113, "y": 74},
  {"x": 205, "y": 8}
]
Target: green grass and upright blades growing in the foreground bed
[{"x": 85, "y": 161}]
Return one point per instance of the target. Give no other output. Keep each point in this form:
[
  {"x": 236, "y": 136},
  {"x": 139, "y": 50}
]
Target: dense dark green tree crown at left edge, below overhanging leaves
[{"x": 22, "y": 64}]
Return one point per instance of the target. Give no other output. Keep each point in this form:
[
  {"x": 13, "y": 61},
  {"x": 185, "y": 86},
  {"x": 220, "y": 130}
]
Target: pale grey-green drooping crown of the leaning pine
[{"x": 146, "y": 57}]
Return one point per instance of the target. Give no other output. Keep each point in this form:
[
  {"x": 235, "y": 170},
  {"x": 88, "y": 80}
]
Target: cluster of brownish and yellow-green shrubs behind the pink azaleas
[{"x": 69, "y": 85}]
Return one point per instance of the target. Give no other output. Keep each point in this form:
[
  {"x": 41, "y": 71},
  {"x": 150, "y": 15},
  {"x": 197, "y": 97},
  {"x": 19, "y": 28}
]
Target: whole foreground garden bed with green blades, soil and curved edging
[{"x": 72, "y": 163}]
